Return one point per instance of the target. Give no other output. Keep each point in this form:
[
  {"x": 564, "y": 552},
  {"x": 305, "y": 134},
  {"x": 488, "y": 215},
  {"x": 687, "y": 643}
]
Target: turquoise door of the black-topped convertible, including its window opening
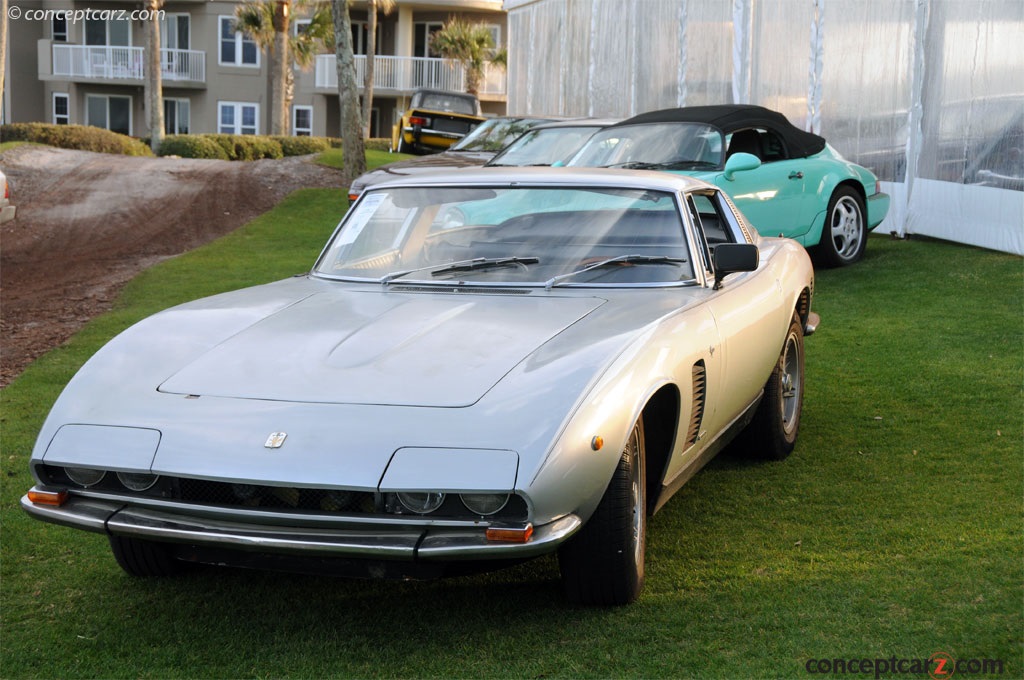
[{"x": 776, "y": 198}]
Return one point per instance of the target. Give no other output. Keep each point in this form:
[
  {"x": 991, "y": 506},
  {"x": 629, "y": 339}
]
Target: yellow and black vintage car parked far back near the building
[{"x": 435, "y": 121}]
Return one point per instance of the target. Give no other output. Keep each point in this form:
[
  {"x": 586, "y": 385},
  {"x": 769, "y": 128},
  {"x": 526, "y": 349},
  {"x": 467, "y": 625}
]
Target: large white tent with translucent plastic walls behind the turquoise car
[{"x": 928, "y": 94}]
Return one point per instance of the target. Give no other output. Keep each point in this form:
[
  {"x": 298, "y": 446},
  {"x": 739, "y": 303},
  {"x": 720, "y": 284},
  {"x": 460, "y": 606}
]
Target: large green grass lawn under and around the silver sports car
[{"x": 894, "y": 530}]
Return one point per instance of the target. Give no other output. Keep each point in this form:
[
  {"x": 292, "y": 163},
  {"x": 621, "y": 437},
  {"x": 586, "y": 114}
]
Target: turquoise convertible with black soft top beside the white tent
[{"x": 787, "y": 182}]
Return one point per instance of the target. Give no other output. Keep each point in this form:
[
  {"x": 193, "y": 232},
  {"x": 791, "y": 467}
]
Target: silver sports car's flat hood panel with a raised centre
[{"x": 373, "y": 349}]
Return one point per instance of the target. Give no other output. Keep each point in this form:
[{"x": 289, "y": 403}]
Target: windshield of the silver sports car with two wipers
[{"x": 518, "y": 236}]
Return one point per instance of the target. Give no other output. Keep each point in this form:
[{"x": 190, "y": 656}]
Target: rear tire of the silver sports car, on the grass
[{"x": 777, "y": 424}]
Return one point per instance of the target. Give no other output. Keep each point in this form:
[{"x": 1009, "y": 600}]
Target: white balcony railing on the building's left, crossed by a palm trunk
[{"x": 104, "y": 63}]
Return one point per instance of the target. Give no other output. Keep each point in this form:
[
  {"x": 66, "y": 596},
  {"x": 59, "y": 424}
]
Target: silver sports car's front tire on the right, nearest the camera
[{"x": 604, "y": 565}]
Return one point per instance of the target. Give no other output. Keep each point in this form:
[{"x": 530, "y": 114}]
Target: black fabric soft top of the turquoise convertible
[{"x": 732, "y": 118}]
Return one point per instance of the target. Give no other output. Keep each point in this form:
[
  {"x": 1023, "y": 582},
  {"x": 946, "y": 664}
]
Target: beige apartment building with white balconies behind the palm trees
[{"x": 79, "y": 62}]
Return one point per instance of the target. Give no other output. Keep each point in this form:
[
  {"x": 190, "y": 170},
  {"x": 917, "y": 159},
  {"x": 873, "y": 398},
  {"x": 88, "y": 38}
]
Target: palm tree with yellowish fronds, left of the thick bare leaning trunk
[{"x": 268, "y": 23}]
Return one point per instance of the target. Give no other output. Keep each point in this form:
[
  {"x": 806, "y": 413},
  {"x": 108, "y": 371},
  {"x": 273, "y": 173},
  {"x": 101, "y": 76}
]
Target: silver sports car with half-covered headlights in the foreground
[{"x": 481, "y": 368}]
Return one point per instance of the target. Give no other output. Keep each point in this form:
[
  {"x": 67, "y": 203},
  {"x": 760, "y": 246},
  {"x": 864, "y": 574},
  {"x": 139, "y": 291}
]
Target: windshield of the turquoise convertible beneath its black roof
[{"x": 656, "y": 147}]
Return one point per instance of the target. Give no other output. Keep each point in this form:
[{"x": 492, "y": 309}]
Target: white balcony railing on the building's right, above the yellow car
[{"x": 408, "y": 73}]
